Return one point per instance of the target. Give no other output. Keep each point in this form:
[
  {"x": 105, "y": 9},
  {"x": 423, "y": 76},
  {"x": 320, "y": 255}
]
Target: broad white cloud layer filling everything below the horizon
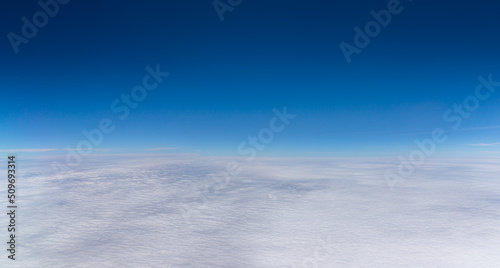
[{"x": 119, "y": 211}]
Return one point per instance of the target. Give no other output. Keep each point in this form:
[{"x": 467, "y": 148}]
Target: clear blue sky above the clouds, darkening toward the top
[{"x": 226, "y": 77}]
